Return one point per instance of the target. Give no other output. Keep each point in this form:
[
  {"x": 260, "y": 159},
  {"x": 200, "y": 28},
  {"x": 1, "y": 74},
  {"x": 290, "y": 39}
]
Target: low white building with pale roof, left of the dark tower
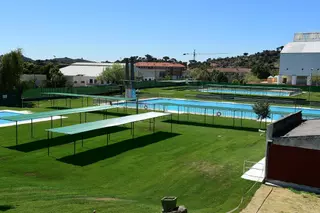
[{"x": 84, "y": 74}]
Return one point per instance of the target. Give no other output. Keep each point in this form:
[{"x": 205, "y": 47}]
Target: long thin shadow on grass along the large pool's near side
[{"x": 193, "y": 123}]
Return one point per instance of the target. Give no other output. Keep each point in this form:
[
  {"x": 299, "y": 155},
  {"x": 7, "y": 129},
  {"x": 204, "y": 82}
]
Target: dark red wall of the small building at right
[{"x": 294, "y": 165}]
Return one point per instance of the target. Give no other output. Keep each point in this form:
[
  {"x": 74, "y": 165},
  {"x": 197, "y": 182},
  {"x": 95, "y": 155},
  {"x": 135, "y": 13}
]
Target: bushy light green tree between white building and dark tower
[{"x": 113, "y": 74}]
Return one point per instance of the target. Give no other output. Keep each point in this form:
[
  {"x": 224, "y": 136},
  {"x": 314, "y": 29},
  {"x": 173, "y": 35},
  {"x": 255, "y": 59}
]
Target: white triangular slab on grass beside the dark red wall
[{"x": 256, "y": 172}]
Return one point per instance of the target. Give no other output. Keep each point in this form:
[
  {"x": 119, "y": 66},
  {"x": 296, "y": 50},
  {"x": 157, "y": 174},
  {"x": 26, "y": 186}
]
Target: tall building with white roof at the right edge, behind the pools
[{"x": 300, "y": 59}]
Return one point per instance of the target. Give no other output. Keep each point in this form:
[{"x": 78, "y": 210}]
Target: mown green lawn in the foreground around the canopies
[{"x": 199, "y": 163}]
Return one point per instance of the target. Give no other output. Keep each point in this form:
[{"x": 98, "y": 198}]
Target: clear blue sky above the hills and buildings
[{"x": 112, "y": 29}]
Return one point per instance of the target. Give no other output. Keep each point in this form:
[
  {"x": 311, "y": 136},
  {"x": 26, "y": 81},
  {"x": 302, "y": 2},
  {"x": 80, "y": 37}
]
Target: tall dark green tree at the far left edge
[{"x": 11, "y": 70}]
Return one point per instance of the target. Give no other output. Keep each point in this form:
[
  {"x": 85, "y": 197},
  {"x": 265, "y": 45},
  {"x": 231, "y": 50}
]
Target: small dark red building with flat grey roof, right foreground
[{"x": 293, "y": 152}]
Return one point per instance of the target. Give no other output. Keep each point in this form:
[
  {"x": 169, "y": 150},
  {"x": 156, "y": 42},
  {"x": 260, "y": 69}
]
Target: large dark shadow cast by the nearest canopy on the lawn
[{"x": 94, "y": 155}]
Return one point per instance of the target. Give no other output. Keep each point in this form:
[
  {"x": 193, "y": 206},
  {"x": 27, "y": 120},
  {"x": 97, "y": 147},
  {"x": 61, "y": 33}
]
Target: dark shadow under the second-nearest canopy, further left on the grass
[{"x": 64, "y": 139}]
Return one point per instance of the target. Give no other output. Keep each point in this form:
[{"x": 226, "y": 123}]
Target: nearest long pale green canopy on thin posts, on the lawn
[{"x": 80, "y": 129}]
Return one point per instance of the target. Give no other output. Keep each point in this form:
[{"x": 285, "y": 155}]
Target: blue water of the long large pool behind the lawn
[{"x": 226, "y": 109}]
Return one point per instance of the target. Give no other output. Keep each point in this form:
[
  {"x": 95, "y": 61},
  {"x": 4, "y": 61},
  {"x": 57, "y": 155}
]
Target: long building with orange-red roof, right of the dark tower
[{"x": 159, "y": 70}]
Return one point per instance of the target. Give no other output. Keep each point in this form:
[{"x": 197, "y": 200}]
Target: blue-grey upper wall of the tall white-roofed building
[{"x": 295, "y": 62}]
